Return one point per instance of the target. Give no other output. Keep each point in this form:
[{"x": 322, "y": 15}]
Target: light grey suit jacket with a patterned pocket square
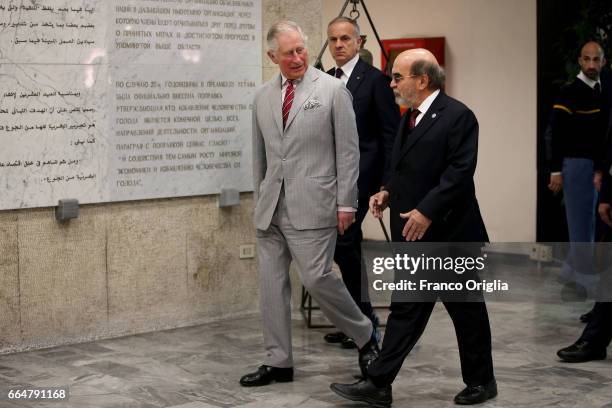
[{"x": 316, "y": 156}]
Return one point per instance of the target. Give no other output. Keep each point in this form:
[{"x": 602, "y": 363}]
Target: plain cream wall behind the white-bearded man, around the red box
[{"x": 491, "y": 66}]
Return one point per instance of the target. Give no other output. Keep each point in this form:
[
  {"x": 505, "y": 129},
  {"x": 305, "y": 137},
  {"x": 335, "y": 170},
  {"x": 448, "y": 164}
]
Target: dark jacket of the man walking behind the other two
[{"x": 377, "y": 117}]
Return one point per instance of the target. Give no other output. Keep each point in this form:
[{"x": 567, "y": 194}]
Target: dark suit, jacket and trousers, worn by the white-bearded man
[{"x": 432, "y": 170}]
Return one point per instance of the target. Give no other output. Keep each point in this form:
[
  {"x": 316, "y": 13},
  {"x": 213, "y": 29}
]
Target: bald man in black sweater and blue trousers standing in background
[{"x": 578, "y": 125}]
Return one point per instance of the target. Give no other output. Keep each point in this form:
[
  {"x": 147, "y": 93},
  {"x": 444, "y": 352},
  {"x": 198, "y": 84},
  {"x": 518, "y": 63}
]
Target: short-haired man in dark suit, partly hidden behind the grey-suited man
[{"x": 377, "y": 118}]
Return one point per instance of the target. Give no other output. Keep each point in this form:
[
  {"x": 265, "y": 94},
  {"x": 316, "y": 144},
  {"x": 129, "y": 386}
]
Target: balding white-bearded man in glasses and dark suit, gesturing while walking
[{"x": 431, "y": 196}]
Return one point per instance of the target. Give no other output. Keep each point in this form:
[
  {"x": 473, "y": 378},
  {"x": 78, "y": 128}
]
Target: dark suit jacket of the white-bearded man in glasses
[{"x": 433, "y": 172}]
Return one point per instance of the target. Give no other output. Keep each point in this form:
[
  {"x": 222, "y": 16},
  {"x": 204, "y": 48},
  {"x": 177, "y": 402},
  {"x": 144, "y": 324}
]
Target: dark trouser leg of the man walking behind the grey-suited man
[{"x": 348, "y": 257}]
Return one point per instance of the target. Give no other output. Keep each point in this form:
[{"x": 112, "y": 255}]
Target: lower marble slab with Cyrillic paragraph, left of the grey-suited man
[{"x": 200, "y": 123}]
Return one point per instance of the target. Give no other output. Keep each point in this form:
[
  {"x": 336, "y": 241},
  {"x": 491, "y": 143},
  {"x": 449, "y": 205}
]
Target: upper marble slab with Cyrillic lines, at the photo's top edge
[{"x": 184, "y": 33}]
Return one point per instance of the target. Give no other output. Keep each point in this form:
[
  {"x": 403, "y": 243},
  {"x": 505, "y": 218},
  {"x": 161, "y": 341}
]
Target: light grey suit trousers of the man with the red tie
[{"x": 312, "y": 251}]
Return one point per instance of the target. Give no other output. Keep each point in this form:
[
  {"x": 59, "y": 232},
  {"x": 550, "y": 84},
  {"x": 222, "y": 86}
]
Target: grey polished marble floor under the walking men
[{"x": 199, "y": 367}]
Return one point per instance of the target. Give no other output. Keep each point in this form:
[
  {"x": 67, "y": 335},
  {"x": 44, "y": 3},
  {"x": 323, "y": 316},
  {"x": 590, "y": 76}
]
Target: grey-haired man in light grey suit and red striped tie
[{"x": 306, "y": 161}]
